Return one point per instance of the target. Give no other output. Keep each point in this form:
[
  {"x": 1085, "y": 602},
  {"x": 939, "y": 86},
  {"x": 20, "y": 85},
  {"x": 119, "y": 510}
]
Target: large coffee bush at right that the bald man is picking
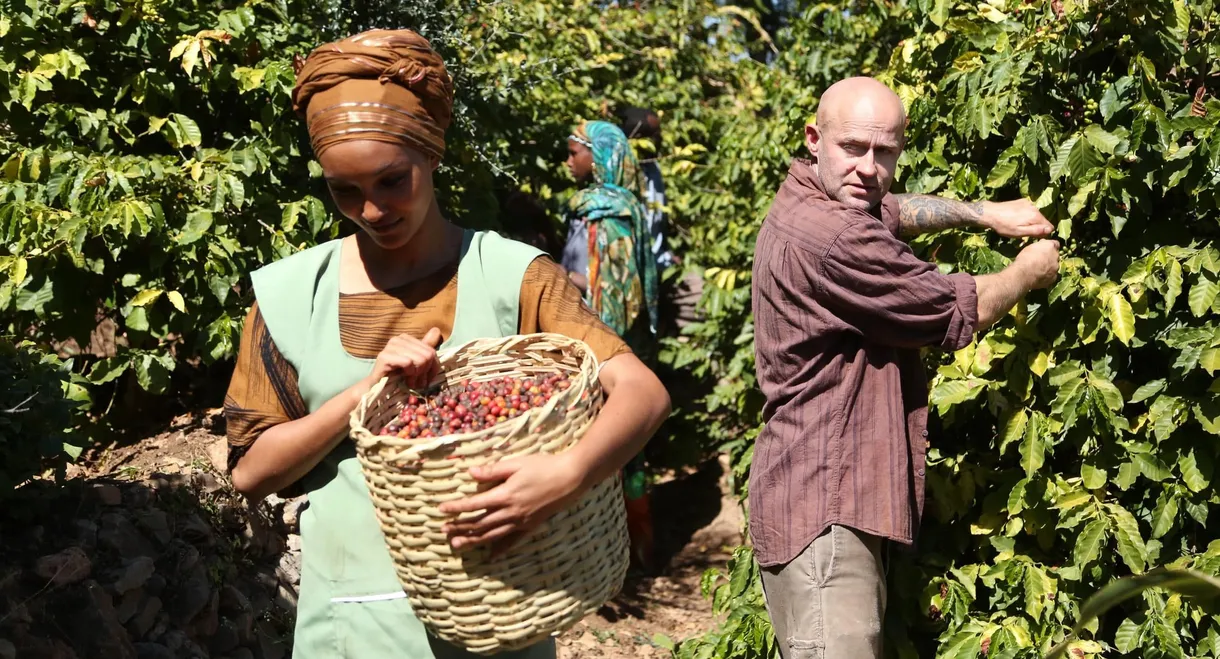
[{"x": 1078, "y": 438}]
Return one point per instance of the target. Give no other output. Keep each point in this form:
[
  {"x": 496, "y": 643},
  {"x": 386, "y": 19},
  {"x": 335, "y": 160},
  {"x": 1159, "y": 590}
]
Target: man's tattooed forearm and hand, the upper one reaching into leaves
[{"x": 927, "y": 214}]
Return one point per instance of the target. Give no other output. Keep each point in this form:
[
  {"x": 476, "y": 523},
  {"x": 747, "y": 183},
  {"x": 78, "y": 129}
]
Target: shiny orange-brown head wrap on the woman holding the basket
[{"x": 382, "y": 85}]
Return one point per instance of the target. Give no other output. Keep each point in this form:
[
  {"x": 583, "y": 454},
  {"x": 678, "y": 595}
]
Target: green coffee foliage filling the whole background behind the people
[{"x": 151, "y": 162}]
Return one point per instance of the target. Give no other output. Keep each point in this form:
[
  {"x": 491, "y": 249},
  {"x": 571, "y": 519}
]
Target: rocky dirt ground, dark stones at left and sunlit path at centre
[{"x": 147, "y": 553}]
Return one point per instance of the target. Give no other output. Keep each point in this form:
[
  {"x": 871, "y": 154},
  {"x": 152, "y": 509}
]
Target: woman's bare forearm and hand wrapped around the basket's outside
[{"x": 536, "y": 488}]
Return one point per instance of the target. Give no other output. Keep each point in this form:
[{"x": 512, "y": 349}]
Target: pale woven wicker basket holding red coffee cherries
[{"x": 550, "y": 580}]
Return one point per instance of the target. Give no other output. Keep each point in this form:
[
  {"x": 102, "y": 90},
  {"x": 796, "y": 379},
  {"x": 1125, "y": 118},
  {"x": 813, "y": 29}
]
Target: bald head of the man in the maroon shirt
[{"x": 857, "y": 141}]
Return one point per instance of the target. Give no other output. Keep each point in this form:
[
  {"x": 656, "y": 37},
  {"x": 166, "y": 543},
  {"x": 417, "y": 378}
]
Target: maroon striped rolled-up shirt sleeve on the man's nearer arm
[{"x": 874, "y": 281}]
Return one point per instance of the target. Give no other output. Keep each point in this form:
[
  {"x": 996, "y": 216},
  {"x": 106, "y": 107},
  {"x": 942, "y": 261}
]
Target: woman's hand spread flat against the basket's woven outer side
[{"x": 531, "y": 490}]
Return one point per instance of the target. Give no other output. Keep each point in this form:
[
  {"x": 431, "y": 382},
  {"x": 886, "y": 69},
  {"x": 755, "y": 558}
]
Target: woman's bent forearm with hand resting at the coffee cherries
[{"x": 287, "y": 452}]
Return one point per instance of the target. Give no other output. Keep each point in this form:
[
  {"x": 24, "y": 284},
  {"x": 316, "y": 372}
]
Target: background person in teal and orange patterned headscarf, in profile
[{"x": 608, "y": 257}]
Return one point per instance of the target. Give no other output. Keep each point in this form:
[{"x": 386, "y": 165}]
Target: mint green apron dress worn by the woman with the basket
[{"x": 352, "y": 605}]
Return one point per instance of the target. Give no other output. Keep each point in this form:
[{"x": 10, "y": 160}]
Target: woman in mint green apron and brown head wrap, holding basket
[{"x": 331, "y": 322}]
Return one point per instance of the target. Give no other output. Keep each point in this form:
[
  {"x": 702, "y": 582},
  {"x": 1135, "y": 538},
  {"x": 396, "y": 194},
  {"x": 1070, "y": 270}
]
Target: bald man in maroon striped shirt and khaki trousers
[{"x": 842, "y": 308}]
